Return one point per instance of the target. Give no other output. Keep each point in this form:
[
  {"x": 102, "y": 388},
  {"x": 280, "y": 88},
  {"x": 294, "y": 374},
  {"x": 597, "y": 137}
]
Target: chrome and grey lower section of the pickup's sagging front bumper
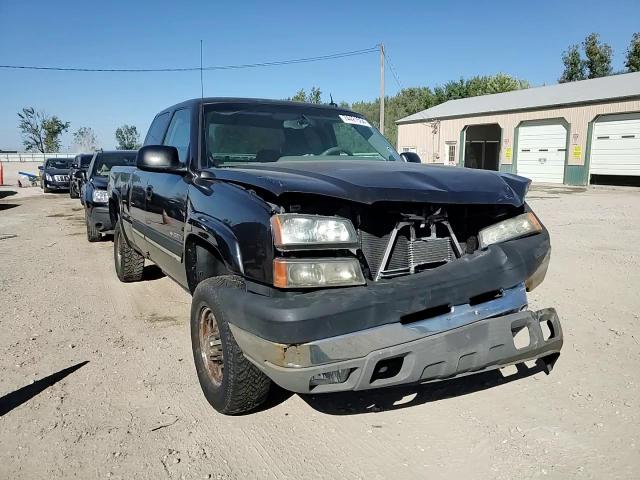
[{"x": 386, "y": 356}]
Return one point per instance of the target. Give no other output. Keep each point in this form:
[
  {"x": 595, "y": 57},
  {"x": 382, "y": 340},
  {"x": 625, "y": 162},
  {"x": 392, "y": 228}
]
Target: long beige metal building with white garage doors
[{"x": 574, "y": 133}]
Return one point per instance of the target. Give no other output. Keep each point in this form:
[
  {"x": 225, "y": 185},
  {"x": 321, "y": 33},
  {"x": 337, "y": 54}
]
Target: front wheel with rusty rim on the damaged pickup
[{"x": 230, "y": 382}]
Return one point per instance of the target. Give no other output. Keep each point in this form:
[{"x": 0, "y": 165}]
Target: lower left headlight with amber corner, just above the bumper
[{"x": 306, "y": 273}]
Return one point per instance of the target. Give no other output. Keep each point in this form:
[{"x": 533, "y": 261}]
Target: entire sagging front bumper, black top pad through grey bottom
[{"x": 458, "y": 319}]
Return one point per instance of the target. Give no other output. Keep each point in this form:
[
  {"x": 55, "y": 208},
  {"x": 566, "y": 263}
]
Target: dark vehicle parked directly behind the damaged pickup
[{"x": 94, "y": 190}]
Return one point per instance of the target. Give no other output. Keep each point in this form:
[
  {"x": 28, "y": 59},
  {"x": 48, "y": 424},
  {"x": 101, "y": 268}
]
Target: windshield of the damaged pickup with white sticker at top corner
[{"x": 236, "y": 134}]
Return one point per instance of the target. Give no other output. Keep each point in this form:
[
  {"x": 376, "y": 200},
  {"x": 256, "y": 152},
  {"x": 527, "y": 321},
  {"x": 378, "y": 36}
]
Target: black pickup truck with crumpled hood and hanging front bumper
[{"x": 319, "y": 260}]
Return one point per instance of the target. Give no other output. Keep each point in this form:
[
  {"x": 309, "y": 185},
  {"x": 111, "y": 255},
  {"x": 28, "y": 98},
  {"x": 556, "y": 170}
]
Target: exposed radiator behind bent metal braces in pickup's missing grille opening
[{"x": 406, "y": 254}]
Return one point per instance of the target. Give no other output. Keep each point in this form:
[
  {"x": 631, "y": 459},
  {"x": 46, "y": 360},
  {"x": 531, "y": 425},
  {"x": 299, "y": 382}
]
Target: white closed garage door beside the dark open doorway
[{"x": 541, "y": 152}]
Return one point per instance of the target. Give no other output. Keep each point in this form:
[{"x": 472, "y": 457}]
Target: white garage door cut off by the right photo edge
[{"x": 615, "y": 145}]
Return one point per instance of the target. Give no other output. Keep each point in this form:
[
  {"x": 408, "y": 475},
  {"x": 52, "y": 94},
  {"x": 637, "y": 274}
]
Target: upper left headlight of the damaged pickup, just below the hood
[{"x": 293, "y": 231}]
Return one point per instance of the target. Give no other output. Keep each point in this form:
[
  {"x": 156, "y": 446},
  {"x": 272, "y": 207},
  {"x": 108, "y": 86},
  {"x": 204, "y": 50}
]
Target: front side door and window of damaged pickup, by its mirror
[{"x": 166, "y": 195}]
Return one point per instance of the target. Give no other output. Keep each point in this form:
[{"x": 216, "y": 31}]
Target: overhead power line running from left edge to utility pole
[{"x": 331, "y": 56}]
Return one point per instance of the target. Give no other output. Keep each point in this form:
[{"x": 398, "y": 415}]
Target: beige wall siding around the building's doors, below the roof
[{"x": 432, "y": 148}]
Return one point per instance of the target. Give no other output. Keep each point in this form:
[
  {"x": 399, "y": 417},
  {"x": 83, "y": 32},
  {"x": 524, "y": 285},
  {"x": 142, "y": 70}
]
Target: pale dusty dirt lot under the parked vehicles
[{"x": 131, "y": 407}]
